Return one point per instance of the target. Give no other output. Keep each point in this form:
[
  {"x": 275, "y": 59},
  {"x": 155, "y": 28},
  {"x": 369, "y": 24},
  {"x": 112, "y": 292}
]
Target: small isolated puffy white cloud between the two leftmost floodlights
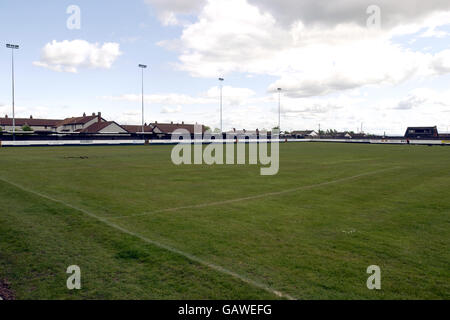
[{"x": 68, "y": 56}]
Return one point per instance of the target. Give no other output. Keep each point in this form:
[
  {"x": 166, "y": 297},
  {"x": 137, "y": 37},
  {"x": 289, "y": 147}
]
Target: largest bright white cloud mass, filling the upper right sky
[{"x": 309, "y": 59}]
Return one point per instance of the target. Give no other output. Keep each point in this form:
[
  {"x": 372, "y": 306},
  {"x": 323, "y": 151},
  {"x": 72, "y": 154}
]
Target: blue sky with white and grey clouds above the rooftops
[{"x": 384, "y": 64}]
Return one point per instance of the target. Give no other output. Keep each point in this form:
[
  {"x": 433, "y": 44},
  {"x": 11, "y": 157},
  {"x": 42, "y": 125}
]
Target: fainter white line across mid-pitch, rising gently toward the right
[{"x": 258, "y": 196}]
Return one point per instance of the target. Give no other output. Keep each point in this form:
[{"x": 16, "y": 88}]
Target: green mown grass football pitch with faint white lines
[{"x": 141, "y": 228}]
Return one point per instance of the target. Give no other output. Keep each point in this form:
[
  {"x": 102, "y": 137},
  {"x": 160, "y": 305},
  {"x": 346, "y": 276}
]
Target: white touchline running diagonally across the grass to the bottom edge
[{"x": 159, "y": 244}]
